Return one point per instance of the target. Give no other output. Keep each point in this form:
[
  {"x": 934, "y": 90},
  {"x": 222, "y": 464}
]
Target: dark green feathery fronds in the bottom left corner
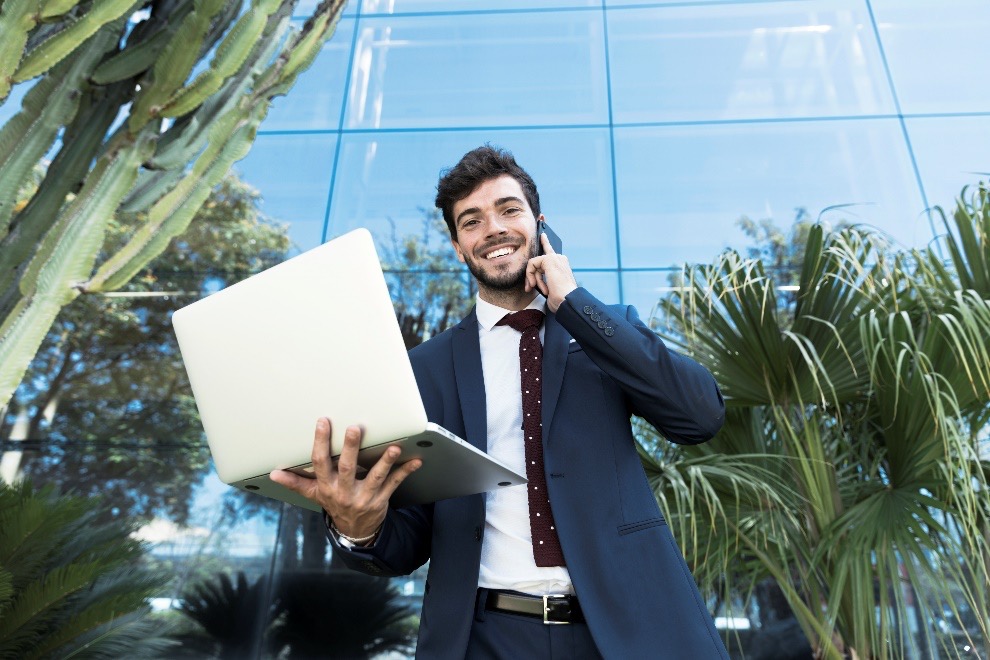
[{"x": 69, "y": 585}]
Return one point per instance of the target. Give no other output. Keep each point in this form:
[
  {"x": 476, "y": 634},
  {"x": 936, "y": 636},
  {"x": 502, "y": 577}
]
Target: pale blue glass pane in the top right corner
[{"x": 934, "y": 52}]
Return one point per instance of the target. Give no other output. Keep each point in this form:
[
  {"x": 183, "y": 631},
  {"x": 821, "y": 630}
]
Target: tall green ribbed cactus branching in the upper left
[{"x": 89, "y": 67}]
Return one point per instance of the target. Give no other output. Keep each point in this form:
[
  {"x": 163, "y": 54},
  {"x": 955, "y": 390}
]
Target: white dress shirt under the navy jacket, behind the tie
[{"x": 507, "y": 548}]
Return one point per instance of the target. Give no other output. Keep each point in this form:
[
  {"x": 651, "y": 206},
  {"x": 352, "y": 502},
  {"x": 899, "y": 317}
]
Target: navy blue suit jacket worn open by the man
[{"x": 634, "y": 587}]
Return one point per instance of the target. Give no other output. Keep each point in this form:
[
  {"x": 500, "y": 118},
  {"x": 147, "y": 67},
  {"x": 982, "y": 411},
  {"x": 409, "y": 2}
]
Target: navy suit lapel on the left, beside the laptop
[{"x": 470, "y": 381}]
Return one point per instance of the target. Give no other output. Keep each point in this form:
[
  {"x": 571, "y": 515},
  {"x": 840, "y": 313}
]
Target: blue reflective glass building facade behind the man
[{"x": 650, "y": 128}]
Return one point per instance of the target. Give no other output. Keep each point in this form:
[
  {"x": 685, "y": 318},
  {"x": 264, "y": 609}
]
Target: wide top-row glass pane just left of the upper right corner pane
[{"x": 786, "y": 59}]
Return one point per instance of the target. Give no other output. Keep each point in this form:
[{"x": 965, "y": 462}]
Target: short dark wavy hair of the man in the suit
[{"x": 476, "y": 167}]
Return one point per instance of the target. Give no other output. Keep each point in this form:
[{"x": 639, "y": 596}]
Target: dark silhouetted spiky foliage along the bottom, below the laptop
[{"x": 355, "y": 615}]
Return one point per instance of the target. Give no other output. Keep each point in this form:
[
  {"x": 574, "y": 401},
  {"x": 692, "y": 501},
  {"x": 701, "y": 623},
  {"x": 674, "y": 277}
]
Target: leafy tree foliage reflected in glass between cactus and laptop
[{"x": 109, "y": 379}]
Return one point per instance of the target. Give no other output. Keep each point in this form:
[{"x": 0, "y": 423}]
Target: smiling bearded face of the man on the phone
[{"x": 496, "y": 234}]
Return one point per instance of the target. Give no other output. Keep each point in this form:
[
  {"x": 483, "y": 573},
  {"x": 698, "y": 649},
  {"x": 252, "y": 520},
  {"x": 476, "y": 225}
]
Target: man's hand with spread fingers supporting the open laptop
[{"x": 357, "y": 506}]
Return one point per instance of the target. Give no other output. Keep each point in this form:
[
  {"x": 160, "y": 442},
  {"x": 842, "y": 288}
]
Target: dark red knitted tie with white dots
[{"x": 546, "y": 544}]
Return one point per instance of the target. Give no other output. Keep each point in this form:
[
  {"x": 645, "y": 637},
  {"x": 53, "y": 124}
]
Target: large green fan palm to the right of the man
[{"x": 849, "y": 469}]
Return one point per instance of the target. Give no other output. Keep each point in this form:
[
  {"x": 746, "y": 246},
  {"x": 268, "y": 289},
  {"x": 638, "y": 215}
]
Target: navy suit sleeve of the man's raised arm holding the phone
[{"x": 674, "y": 393}]
